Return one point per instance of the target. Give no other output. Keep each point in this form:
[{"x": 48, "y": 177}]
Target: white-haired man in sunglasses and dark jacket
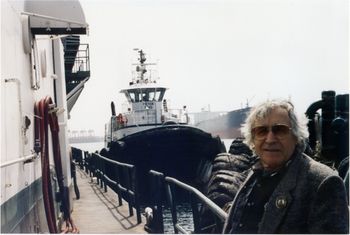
[{"x": 285, "y": 191}]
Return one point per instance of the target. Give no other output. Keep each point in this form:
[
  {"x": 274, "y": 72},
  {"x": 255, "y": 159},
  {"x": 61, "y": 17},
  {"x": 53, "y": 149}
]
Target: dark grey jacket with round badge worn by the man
[{"x": 310, "y": 198}]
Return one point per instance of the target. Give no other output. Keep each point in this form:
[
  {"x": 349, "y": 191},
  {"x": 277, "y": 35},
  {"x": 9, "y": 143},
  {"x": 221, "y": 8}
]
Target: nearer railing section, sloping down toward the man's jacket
[{"x": 196, "y": 198}]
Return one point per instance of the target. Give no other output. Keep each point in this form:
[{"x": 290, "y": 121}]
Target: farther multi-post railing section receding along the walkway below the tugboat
[{"x": 120, "y": 177}]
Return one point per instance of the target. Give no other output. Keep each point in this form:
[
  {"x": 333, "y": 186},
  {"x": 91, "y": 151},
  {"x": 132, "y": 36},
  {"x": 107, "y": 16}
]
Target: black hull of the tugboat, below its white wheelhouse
[{"x": 183, "y": 152}]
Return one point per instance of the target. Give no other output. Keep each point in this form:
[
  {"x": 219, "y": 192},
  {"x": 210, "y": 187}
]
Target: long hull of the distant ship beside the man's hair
[{"x": 226, "y": 126}]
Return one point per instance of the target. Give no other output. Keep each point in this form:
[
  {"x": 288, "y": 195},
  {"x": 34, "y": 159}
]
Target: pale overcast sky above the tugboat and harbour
[{"x": 215, "y": 52}]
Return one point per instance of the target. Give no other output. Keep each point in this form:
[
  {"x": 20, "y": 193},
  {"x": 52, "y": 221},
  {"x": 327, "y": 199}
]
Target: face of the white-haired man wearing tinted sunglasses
[{"x": 276, "y": 145}]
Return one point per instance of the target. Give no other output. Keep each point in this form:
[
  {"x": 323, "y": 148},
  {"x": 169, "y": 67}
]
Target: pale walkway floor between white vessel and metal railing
[{"x": 98, "y": 212}]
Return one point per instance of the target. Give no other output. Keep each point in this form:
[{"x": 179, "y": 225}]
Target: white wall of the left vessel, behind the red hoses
[{"x": 32, "y": 67}]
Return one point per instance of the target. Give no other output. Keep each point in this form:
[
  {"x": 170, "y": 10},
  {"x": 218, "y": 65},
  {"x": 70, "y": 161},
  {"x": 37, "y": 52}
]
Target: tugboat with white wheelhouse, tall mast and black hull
[{"x": 152, "y": 136}]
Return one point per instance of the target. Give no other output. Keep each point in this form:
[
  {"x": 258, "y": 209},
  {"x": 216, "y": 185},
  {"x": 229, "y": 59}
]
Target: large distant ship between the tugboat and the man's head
[{"x": 226, "y": 125}]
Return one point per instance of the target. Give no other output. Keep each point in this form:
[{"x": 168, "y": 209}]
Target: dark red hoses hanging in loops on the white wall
[{"x": 42, "y": 119}]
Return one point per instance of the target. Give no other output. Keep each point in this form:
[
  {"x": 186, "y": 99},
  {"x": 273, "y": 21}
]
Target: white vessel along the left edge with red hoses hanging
[{"x": 43, "y": 71}]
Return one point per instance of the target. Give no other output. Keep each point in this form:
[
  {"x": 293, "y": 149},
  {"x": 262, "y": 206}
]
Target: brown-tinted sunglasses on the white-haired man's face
[{"x": 280, "y": 131}]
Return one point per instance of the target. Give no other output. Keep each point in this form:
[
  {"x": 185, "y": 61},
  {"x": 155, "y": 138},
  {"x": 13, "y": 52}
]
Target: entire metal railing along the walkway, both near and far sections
[{"x": 121, "y": 178}]
